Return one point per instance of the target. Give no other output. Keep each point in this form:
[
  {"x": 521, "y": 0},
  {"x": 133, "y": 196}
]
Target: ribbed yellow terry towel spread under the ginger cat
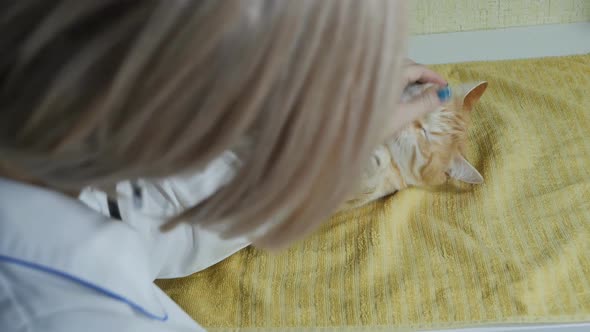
[{"x": 515, "y": 249}]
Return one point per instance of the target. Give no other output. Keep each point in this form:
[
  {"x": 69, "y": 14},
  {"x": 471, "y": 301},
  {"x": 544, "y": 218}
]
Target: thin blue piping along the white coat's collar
[{"x": 85, "y": 283}]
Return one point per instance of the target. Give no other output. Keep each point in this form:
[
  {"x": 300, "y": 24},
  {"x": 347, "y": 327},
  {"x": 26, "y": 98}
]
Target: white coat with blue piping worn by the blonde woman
[{"x": 66, "y": 266}]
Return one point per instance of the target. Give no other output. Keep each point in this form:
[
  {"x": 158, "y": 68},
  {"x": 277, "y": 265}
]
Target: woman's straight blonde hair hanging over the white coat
[{"x": 94, "y": 92}]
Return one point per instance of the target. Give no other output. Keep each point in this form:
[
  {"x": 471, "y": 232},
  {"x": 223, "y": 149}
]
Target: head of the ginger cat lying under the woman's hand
[{"x": 430, "y": 151}]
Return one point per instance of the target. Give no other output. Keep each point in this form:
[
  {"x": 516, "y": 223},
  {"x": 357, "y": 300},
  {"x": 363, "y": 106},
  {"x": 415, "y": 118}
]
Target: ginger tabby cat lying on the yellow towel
[{"x": 427, "y": 152}]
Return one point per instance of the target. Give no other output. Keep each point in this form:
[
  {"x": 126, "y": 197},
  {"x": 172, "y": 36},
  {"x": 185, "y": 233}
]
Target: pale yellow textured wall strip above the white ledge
[{"x": 435, "y": 16}]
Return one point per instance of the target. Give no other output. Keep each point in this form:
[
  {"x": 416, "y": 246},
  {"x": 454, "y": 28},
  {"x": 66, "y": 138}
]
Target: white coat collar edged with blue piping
[{"x": 56, "y": 234}]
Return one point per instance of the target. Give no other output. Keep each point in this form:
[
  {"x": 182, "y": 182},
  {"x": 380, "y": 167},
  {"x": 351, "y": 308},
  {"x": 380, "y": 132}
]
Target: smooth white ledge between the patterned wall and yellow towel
[{"x": 501, "y": 44}]
